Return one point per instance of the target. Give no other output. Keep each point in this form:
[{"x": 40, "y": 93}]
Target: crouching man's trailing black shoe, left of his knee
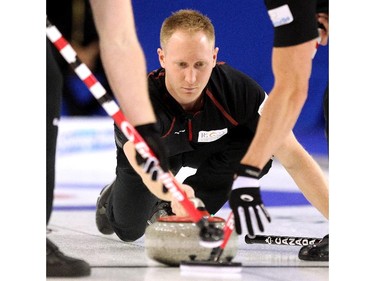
[{"x": 102, "y": 222}]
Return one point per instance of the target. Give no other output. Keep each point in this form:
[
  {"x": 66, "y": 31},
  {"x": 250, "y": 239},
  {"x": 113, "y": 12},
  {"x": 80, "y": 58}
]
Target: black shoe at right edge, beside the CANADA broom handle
[{"x": 316, "y": 252}]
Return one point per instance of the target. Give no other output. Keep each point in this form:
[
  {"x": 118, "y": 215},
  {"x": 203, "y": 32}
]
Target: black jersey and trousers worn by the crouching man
[{"x": 212, "y": 140}]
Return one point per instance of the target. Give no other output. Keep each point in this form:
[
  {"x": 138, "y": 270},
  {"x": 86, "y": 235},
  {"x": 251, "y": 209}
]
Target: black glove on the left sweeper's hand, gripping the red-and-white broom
[{"x": 151, "y": 136}]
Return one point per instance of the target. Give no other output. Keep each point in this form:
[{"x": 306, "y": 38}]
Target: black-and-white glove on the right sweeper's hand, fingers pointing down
[{"x": 247, "y": 198}]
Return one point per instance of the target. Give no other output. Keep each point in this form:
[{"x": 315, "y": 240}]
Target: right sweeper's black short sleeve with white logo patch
[{"x": 294, "y": 21}]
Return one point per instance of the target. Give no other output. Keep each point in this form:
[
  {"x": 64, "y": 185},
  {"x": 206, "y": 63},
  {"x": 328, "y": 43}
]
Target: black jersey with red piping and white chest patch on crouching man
[{"x": 231, "y": 101}]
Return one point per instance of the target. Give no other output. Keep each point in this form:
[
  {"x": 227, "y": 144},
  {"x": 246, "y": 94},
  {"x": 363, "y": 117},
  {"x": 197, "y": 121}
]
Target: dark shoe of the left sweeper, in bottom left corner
[{"x": 60, "y": 265}]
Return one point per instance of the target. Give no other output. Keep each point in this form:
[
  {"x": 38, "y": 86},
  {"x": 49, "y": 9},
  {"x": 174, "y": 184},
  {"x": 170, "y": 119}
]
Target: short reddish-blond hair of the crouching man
[{"x": 186, "y": 20}]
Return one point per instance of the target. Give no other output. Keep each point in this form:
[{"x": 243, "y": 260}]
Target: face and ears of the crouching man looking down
[{"x": 188, "y": 60}]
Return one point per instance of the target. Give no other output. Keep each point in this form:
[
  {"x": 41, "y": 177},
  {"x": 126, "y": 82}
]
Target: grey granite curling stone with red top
[{"x": 173, "y": 239}]
